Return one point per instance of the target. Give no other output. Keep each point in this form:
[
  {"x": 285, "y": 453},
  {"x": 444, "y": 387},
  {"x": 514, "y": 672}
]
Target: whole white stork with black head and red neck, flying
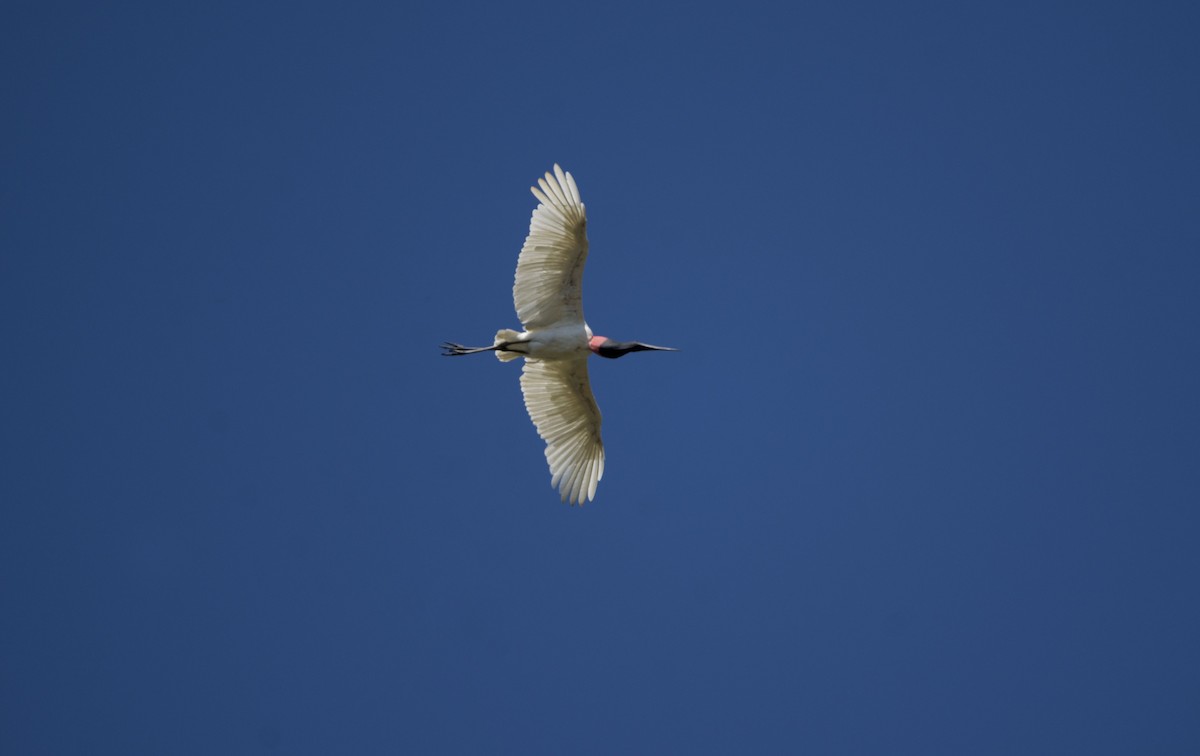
[{"x": 557, "y": 341}]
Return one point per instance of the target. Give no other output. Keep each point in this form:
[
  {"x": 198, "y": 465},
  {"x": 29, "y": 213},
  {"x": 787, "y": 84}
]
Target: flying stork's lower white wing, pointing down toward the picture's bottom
[{"x": 560, "y": 403}]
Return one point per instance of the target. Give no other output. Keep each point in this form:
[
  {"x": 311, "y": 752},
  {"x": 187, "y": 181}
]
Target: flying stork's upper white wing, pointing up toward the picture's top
[{"x": 550, "y": 271}]
